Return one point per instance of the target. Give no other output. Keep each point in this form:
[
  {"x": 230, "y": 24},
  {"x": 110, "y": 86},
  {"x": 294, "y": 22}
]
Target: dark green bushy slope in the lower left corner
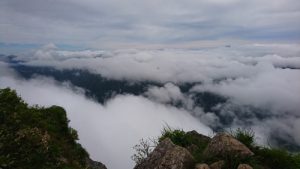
[{"x": 36, "y": 137}]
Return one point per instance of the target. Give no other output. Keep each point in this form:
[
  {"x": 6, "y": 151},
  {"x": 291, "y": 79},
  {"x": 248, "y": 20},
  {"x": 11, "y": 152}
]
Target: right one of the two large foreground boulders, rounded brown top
[{"x": 223, "y": 145}]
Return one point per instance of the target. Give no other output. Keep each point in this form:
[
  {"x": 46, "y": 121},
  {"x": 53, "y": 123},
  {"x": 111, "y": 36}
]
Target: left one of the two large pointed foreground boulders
[{"x": 167, "y": 156}]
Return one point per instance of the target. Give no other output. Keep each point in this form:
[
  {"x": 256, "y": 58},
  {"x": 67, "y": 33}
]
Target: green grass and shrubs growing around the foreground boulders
[{"x": 264, "y": 158}]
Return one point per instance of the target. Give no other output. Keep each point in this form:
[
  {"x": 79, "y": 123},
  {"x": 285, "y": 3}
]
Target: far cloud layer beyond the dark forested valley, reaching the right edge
[{"x": 258, "y": 79}]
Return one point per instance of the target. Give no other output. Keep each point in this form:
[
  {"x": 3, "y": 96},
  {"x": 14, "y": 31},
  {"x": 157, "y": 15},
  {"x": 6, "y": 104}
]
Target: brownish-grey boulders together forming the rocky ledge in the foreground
[{"x": 167, "y": 155}]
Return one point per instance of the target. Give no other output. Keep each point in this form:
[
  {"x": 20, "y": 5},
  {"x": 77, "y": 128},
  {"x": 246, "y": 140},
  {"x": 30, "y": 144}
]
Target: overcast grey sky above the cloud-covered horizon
[{"x": 131, "y": 23}]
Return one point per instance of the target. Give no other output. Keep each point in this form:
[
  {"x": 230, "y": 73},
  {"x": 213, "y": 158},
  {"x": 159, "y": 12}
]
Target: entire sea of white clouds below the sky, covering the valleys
[{"x": 261, "y": 76}]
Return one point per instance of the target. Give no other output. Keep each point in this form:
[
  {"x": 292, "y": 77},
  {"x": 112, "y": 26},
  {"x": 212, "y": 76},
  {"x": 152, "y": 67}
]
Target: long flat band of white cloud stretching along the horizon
[{"x": 173, "y": 65}]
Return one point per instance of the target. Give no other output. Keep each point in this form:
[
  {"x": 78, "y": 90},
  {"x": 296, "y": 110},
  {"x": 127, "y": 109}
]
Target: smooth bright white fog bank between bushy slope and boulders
[{"x": 109, "y": 131}]
